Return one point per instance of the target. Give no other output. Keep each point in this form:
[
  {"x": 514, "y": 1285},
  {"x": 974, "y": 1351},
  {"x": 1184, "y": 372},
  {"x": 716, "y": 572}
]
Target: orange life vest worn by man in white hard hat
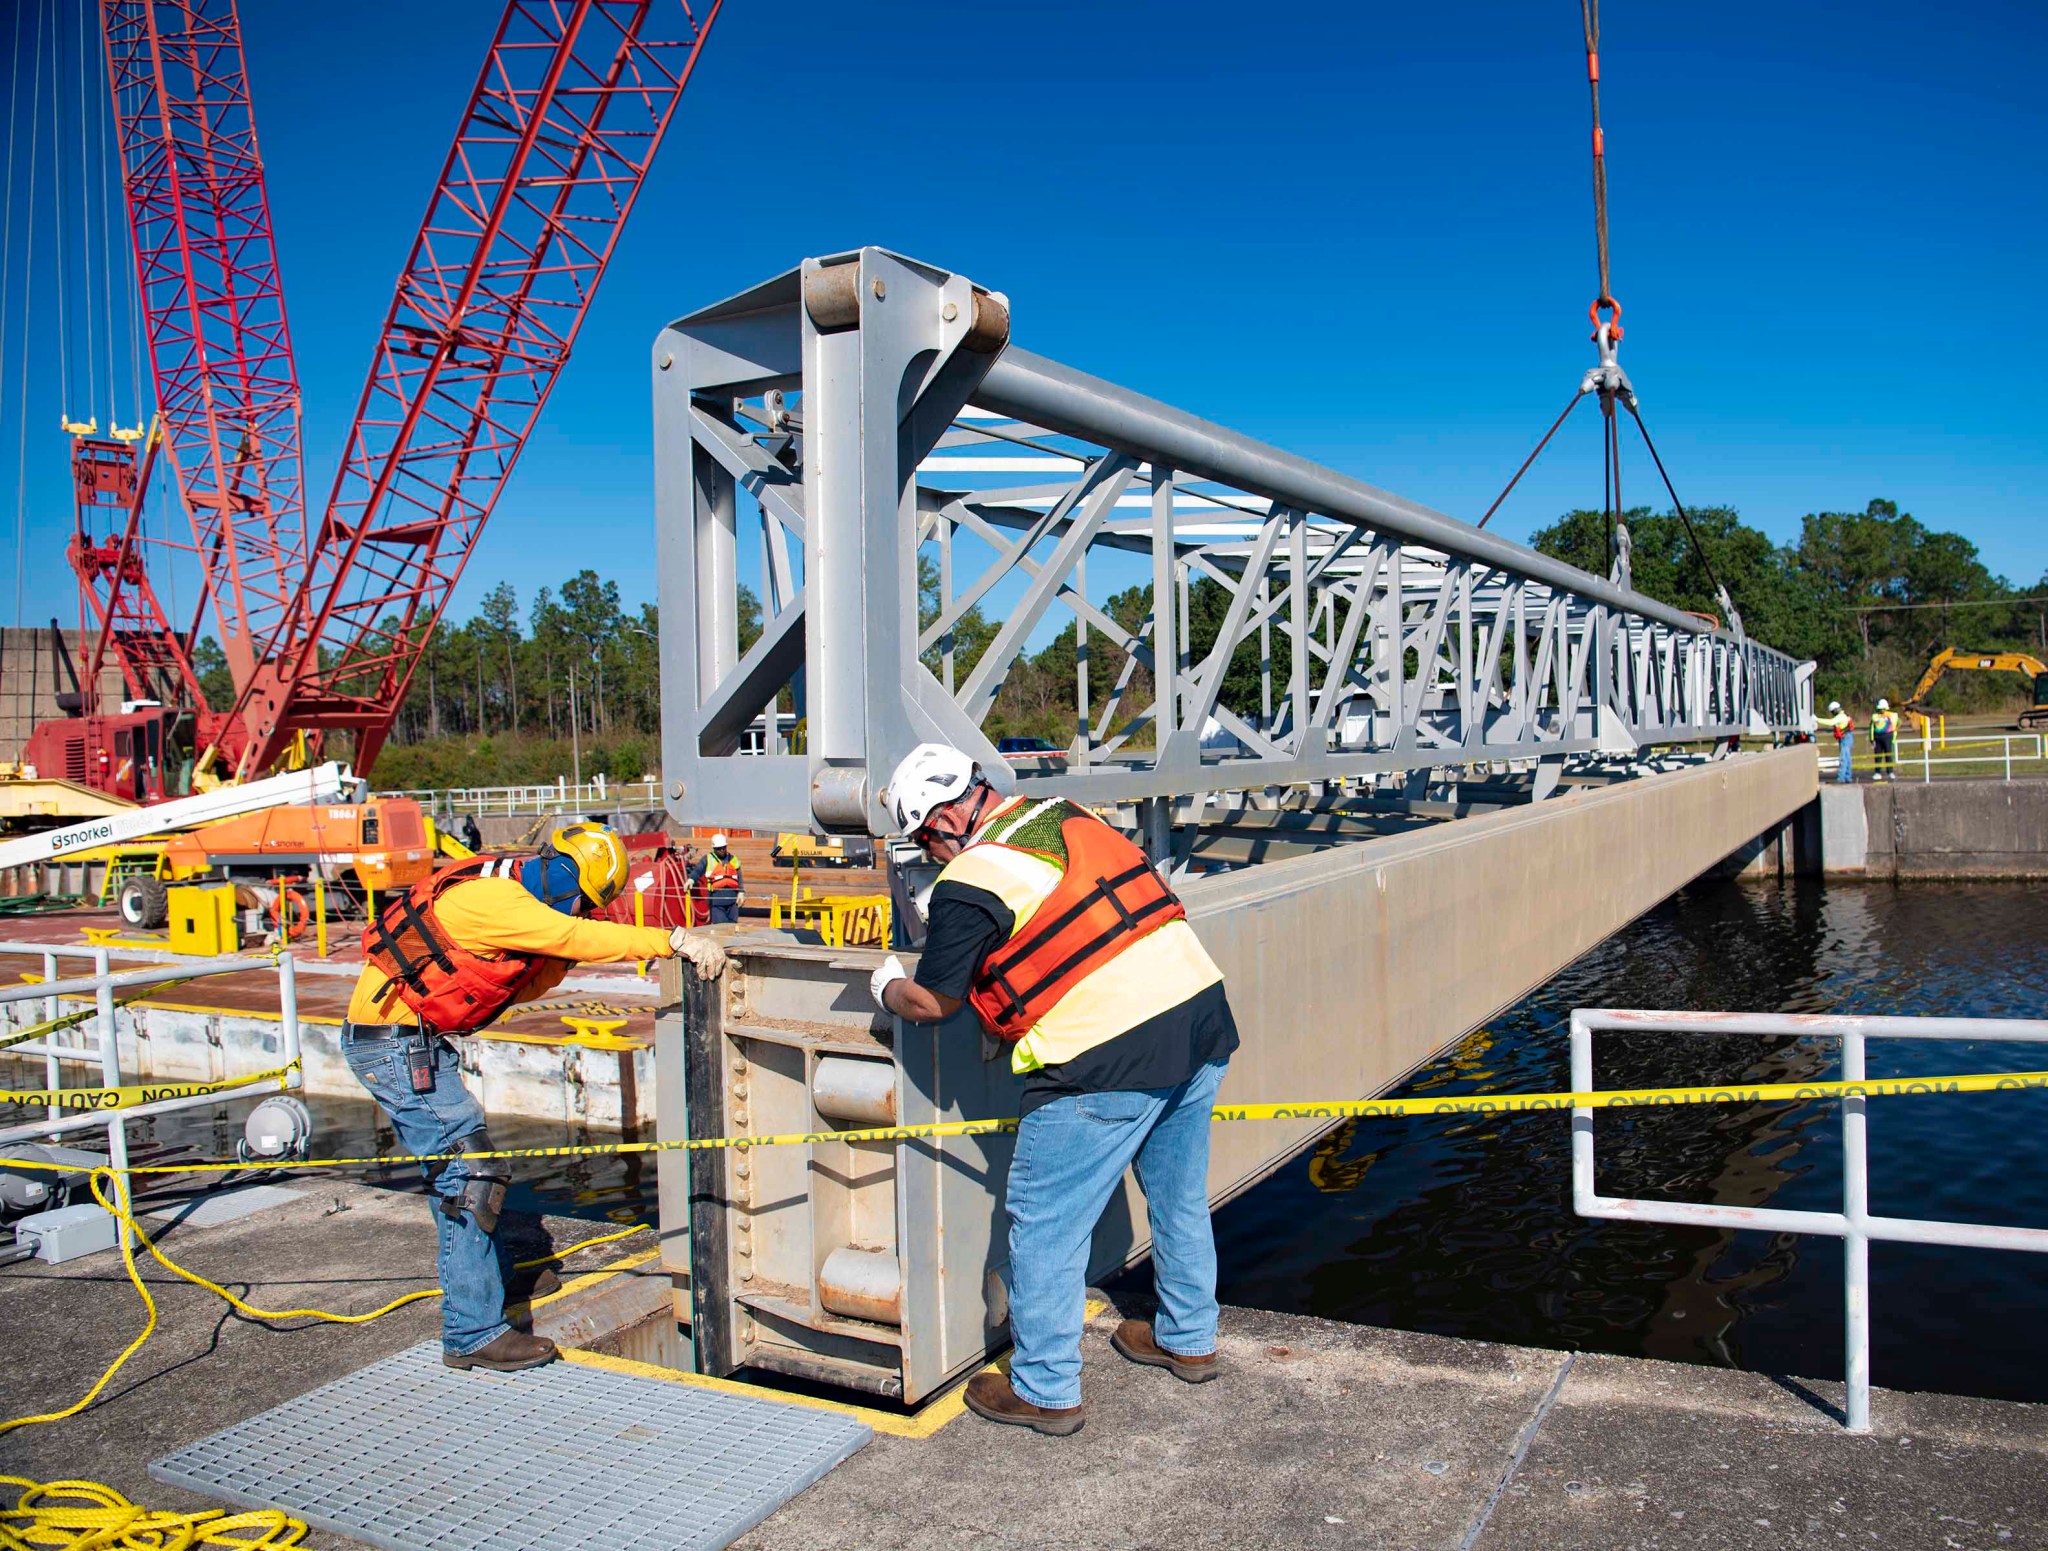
[{"x": 1107, "y": 898}]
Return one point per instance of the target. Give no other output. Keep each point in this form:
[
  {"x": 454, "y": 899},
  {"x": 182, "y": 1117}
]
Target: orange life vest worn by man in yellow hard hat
[{"x": 447, "y": 987}]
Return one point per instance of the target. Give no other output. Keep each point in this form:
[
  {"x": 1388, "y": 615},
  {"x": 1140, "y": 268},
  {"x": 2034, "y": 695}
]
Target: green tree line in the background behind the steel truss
[{"x": 570, "y": 683}]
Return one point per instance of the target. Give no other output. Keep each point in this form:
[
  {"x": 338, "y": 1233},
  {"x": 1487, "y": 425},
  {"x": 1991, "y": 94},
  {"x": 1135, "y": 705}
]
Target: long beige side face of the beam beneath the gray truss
[{"x": 1357, "y": 966}]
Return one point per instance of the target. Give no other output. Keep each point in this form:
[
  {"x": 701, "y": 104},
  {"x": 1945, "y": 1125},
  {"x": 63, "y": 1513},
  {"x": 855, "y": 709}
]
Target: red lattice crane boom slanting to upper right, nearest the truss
[{"x": 552, "y": 153}]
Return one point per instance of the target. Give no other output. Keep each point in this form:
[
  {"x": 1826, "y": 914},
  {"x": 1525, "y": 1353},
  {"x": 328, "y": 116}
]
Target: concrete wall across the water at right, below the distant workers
[{"x": 1936, "y": 829}]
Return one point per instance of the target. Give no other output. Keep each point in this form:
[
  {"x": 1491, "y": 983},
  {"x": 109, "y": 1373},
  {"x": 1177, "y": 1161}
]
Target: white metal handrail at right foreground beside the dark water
[{"x": 1854, "y": 1224}]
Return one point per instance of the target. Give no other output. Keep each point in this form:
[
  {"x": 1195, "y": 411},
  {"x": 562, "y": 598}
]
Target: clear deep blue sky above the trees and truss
[{"x": 1355, "y": 230}]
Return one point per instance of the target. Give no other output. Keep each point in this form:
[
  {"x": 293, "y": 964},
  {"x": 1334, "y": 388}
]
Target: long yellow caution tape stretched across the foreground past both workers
[{"x": 1758, "y": 1093}]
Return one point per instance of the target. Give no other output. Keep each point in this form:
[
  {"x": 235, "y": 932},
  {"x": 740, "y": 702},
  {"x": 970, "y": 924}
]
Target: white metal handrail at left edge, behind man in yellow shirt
[{"x": 103, "y": 1048}]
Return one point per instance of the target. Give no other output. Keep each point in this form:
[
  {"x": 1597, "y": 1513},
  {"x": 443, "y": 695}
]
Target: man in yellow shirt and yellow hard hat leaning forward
[{"x": 443, "y": 960}]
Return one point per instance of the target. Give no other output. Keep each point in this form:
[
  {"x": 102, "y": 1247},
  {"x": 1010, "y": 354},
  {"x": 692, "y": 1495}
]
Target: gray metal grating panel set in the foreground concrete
[{"x": 419, "y": 1458}]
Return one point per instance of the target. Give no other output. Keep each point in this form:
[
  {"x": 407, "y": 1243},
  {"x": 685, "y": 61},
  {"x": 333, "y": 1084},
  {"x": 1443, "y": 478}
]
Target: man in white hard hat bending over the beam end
[{"x": 1074, "y": 952}]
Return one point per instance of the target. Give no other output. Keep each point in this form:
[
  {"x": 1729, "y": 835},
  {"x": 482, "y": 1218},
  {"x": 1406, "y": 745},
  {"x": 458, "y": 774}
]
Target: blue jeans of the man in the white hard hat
[{"x": 1072, "y": 1155}]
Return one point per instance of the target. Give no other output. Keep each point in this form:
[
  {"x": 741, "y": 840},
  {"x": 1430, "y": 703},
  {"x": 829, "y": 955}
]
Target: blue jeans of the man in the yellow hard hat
[{"x": 472, "y": 1277}]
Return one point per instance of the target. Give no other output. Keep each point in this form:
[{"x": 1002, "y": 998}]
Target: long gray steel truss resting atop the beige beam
[{"x": 859, "y": 448}]
